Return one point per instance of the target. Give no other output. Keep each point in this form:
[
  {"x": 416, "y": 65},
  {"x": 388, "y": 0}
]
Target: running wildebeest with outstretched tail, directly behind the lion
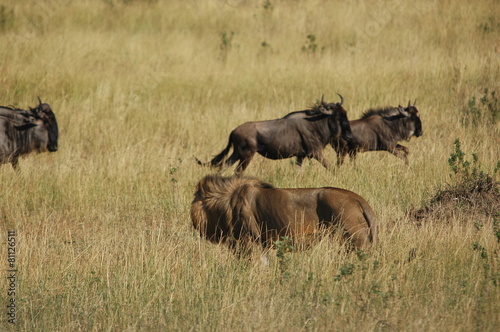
[{"x": 301, "y": 134}]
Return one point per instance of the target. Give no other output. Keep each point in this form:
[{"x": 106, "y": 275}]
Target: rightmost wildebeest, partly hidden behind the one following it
[{"x": 381, "y": 130}]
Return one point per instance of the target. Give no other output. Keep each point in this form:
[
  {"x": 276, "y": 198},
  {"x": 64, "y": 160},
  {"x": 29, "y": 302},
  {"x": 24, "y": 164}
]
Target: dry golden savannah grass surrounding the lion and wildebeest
[{"x": 103, "y": 237}]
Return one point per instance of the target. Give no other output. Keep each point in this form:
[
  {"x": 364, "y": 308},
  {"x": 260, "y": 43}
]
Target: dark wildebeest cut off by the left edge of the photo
[{"x": 22, "y": 132}]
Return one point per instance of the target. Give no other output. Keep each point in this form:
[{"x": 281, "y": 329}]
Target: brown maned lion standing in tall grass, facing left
[{"x": 239, "y": 210}]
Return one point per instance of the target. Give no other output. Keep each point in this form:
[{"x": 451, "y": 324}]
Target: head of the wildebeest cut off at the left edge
[{"x": 46, "y": 129}]
